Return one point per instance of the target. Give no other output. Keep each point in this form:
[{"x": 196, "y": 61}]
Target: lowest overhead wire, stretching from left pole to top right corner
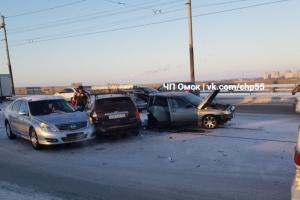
[{"x": 153, "y": 23}]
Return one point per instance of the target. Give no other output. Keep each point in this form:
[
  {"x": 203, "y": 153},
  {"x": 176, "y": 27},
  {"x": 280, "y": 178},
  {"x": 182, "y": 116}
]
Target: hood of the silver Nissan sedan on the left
[{"x": 62, "y": 118}]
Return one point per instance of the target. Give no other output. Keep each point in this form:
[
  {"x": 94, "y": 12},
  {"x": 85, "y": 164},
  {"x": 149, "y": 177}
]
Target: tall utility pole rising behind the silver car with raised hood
[{"x": 191, "y": 48}]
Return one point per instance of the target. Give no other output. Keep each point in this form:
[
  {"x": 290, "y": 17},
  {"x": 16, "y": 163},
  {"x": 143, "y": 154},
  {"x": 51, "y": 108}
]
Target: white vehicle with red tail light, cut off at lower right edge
[{"x": 295, "y": 188}]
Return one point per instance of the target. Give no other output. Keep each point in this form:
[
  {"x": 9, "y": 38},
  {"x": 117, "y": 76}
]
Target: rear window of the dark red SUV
[{"x": 119, "y": 103}]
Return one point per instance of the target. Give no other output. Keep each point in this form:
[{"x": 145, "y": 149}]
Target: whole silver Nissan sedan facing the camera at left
[{"x": 47, "y": 120}]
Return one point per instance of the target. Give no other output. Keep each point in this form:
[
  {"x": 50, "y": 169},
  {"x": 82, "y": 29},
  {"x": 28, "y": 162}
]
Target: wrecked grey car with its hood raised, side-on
[{"x": 168, "y": 109}]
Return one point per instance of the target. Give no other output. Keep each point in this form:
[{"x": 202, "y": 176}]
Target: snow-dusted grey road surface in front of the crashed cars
[{"x": 247, "y": 158}]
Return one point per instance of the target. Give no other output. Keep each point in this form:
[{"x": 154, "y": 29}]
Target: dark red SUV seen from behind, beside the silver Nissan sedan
[{"x": 114, "y": 114}]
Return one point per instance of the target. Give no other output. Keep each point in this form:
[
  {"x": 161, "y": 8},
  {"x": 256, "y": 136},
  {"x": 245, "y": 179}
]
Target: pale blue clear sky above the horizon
[{"x": 96, "y": 42}]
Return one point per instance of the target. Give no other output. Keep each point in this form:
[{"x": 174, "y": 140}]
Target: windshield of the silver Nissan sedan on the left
[{"x": 48, "y": 107}]
